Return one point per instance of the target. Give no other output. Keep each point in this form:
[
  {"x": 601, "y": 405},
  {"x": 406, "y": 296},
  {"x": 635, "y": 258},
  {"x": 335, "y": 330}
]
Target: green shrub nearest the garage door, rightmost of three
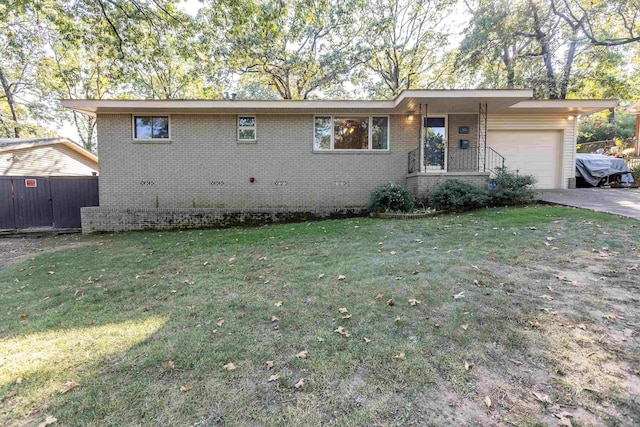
[{"x": 510, "y": 188}]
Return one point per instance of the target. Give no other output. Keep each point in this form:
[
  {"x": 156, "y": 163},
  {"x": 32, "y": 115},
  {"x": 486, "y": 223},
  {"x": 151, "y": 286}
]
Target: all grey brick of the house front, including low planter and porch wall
[{"x": 203, "y": 176}]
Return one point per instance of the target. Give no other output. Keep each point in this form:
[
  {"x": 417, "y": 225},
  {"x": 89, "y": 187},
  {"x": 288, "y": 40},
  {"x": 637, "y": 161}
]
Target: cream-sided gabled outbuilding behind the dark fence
[{"x": 45, "y": 157}]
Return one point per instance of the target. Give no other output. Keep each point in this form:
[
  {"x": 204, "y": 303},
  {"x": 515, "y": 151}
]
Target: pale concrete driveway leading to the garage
[{"x": 618, "y": 201}]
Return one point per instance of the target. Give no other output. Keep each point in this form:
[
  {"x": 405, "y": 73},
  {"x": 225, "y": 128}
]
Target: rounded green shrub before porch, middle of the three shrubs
[{"x": 457, "y": 195}]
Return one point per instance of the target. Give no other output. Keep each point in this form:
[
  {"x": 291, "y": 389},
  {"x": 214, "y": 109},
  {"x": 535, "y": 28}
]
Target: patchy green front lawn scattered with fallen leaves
[{"x": 523, "y": 316}]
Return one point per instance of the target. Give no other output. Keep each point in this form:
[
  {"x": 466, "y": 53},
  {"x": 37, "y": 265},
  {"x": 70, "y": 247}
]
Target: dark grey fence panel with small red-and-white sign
[{"x": 33, "y": 206}]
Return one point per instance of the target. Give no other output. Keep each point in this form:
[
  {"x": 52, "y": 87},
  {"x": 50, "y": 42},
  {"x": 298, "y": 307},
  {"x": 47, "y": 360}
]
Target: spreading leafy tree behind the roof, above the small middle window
[{"x": 298, "y": 47}]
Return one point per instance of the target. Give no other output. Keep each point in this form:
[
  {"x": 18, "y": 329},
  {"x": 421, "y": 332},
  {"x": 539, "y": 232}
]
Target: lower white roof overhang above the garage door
[{"x": 574, "y": 107}]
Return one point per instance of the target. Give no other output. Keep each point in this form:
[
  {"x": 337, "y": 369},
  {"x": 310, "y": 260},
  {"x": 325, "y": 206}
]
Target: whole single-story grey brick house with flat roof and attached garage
[{"x": 168, "y": 163}]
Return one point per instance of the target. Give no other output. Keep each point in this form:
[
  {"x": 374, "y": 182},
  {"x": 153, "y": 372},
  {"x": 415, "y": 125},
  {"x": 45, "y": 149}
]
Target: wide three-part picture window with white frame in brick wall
[{"x": 350, "y": 133}]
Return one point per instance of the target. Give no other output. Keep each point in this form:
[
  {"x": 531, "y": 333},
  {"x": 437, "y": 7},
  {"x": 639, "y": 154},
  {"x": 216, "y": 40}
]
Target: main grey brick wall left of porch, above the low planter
[{"x": 205, "y": 167}]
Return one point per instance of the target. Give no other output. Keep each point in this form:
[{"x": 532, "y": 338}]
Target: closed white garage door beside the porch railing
[{"x": 534, "y": 153}]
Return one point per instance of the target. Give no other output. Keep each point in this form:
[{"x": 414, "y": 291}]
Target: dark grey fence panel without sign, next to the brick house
[{"x": 69, "y": 194}]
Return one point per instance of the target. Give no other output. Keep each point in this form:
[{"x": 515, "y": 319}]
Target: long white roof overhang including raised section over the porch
[{"x": 408, "y": 102}]
